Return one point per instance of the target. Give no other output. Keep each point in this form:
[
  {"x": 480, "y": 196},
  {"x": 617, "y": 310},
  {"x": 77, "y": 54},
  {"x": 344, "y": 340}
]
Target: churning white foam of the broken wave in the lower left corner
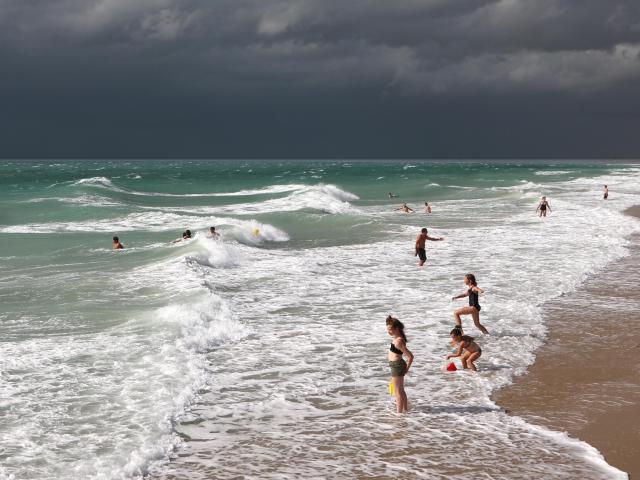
[{"x": 127, "y": 385}]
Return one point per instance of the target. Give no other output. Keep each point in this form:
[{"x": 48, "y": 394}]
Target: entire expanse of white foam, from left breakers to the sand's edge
[{"x": 307, "y": 359}]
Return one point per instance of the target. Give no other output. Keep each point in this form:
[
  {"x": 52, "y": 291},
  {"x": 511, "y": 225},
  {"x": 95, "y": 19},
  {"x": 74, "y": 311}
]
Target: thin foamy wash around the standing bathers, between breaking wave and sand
[{"x": 309, "y": 300}]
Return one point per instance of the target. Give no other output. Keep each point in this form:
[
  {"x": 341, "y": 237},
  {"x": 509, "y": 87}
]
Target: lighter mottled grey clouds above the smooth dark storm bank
[{"x": 442, "y": 45}]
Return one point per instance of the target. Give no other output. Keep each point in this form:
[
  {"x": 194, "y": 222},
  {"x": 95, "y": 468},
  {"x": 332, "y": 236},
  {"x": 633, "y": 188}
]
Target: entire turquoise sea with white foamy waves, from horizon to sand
[{"x": 263, "y": 355}]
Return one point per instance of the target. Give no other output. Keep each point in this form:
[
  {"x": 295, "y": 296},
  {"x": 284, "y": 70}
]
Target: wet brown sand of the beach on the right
[{"x": 586, "y": 378}]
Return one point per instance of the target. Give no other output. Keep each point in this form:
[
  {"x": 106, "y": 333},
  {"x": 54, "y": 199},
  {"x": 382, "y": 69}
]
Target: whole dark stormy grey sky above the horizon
[{"x": 319, "y": 79}]
